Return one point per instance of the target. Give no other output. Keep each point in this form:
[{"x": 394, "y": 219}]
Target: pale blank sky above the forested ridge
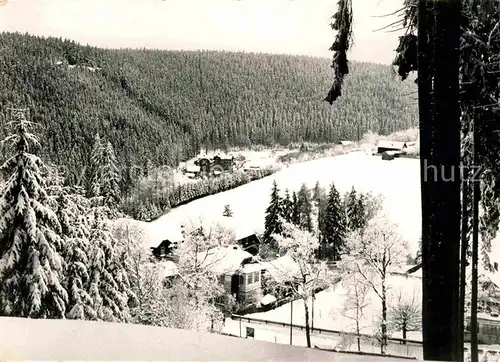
[{"x": 275, "y": 26}]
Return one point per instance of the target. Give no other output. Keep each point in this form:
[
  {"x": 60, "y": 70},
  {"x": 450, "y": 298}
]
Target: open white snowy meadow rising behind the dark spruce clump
[{"x": 398, "y": 181}]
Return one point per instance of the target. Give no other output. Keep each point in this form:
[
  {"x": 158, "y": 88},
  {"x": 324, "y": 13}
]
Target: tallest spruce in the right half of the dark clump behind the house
[{"x": 335, "y": 226}]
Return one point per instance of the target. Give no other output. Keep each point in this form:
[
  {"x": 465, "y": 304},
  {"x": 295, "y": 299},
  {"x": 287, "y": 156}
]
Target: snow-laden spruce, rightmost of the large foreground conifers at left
[{"x": 107, "y": 285}]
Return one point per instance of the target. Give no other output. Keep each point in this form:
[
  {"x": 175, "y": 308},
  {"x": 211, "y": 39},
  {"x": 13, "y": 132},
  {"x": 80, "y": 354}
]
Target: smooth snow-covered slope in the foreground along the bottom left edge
[{"x": 75, "y": 340}]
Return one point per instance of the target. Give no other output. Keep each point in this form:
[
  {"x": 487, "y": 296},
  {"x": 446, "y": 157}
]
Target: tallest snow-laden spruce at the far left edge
[{"x": 30, "y": 263}]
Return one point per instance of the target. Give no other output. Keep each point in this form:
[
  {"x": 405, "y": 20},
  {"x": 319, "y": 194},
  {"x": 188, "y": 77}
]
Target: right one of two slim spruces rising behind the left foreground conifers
[{"x": 110, "y": 190}]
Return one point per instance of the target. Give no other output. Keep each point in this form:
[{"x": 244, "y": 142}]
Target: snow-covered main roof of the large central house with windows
[{"x": 225, "y": 260}]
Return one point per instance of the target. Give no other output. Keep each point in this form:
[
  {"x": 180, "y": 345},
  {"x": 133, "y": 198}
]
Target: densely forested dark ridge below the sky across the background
[{"x": 164, "y": 105}]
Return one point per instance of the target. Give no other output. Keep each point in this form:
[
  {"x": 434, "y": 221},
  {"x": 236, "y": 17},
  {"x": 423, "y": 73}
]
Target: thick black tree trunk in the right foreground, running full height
[{"x": 439, "y": 38}]
